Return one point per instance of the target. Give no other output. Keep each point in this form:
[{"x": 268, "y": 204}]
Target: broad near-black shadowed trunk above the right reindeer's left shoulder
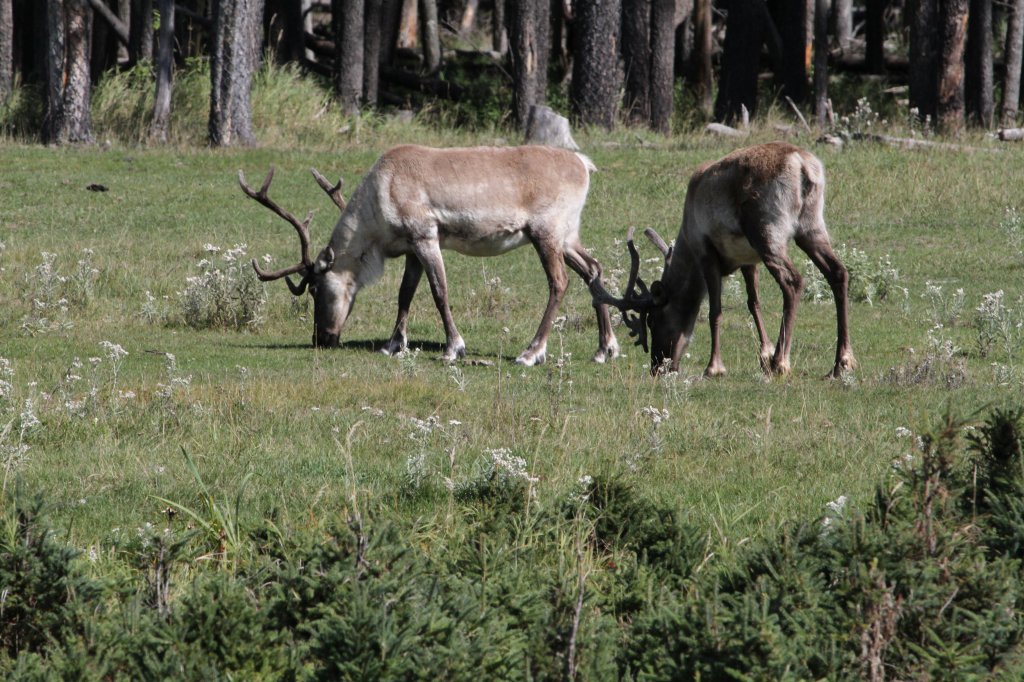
[{"x": 741, "y": 60}]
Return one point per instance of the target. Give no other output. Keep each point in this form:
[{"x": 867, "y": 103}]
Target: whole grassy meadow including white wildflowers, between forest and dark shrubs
[{"x": 137, "y": 397}]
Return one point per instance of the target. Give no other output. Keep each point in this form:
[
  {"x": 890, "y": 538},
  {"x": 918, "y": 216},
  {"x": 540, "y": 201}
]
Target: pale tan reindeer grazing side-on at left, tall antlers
[{"x": 417, "y": 201}]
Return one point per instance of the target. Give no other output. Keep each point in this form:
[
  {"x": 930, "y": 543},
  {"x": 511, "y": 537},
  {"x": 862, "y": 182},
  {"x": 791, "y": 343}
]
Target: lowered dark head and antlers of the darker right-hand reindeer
[{"x": 646, "y": 309}]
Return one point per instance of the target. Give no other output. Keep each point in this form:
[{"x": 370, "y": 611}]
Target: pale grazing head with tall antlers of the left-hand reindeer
[{"x": 333, "y": 293}]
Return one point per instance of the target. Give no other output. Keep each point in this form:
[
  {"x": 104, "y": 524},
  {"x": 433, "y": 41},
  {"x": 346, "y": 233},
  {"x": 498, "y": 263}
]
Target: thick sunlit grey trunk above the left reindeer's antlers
[{"x": 234, "y": 60}]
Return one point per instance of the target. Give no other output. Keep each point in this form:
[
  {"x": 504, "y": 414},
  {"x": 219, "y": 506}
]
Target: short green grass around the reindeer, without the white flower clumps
[{"x": 738, "y": 456}]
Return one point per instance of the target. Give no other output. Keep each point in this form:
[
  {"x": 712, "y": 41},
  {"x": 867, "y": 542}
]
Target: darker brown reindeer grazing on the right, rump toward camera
[{"x": 741, "y": 211}]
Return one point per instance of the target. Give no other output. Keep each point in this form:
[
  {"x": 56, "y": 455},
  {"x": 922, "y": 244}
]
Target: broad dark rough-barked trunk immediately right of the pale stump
[{"x": 598, "y": 75}]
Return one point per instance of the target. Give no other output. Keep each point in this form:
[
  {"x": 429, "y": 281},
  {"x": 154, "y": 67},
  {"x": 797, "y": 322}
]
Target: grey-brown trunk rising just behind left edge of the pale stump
[{"x": 529, "y": 49}]
